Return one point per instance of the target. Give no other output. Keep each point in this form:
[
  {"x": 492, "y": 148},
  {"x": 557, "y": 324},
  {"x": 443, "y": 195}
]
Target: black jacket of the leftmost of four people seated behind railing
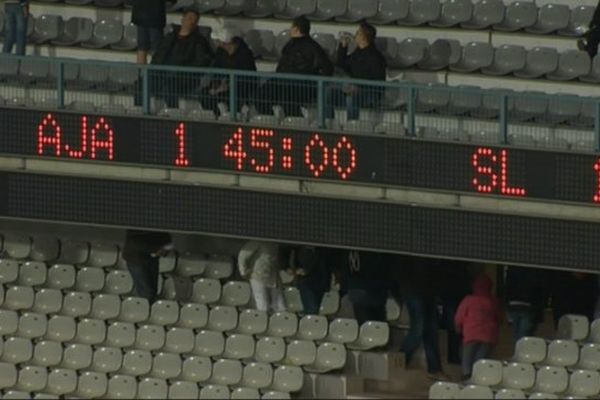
[{"x": 191, "y": 51}]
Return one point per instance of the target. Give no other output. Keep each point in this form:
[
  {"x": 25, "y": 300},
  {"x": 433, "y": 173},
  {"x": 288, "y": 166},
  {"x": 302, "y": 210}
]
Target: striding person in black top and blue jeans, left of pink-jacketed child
[{"x": 420, "y": 289}]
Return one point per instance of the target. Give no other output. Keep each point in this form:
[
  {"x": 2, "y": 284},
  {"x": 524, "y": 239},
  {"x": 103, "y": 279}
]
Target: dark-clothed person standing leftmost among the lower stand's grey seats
[{"x": 141, "y": 252}]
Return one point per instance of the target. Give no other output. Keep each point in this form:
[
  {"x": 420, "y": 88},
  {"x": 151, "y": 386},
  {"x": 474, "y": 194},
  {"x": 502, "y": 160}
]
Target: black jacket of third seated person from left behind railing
[{"x": 304, "y": 56}]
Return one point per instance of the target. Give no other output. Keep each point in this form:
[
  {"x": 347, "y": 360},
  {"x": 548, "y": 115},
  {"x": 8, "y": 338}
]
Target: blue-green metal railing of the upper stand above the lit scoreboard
[{"x": 432, "y": 111}]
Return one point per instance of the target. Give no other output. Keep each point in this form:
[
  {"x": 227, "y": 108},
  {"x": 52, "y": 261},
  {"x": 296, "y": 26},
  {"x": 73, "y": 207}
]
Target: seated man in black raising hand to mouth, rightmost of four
[{"x": 366, "y": 62}]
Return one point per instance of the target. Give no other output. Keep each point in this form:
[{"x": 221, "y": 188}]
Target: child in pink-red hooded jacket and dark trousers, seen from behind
[{"x": 478, "y": 319}]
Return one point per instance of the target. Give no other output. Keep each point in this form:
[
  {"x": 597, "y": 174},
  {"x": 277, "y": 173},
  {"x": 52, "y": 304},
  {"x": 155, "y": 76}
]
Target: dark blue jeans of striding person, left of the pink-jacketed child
[{"x": 423, "y": 329}]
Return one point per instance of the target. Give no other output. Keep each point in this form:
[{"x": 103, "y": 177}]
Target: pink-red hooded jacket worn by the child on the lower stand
[{"x": 478, "y": 315}]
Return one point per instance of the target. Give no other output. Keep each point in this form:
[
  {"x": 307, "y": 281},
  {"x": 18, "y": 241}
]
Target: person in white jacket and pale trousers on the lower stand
[{"x": 260, "y": 263}]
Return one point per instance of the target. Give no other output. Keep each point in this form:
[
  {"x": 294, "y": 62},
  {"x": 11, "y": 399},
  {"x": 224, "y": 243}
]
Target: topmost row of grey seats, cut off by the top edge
[{"x": 483, "y": 14}]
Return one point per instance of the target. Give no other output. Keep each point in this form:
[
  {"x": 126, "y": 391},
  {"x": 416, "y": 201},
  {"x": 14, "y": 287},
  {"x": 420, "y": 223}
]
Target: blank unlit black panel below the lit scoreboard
[{"x": 300, "y": 218}]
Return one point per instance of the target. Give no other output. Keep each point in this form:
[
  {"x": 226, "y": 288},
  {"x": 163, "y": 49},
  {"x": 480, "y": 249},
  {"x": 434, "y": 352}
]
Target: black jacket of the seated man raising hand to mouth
[{"x": 367, "y": 63}]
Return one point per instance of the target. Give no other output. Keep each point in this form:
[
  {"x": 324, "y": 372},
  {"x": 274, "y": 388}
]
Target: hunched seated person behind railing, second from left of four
[{"x": 232, "y": 53}]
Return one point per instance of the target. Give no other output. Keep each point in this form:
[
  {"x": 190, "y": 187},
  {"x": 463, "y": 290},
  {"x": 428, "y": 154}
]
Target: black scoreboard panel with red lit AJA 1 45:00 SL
[{"x": 373, "y": 159}]
